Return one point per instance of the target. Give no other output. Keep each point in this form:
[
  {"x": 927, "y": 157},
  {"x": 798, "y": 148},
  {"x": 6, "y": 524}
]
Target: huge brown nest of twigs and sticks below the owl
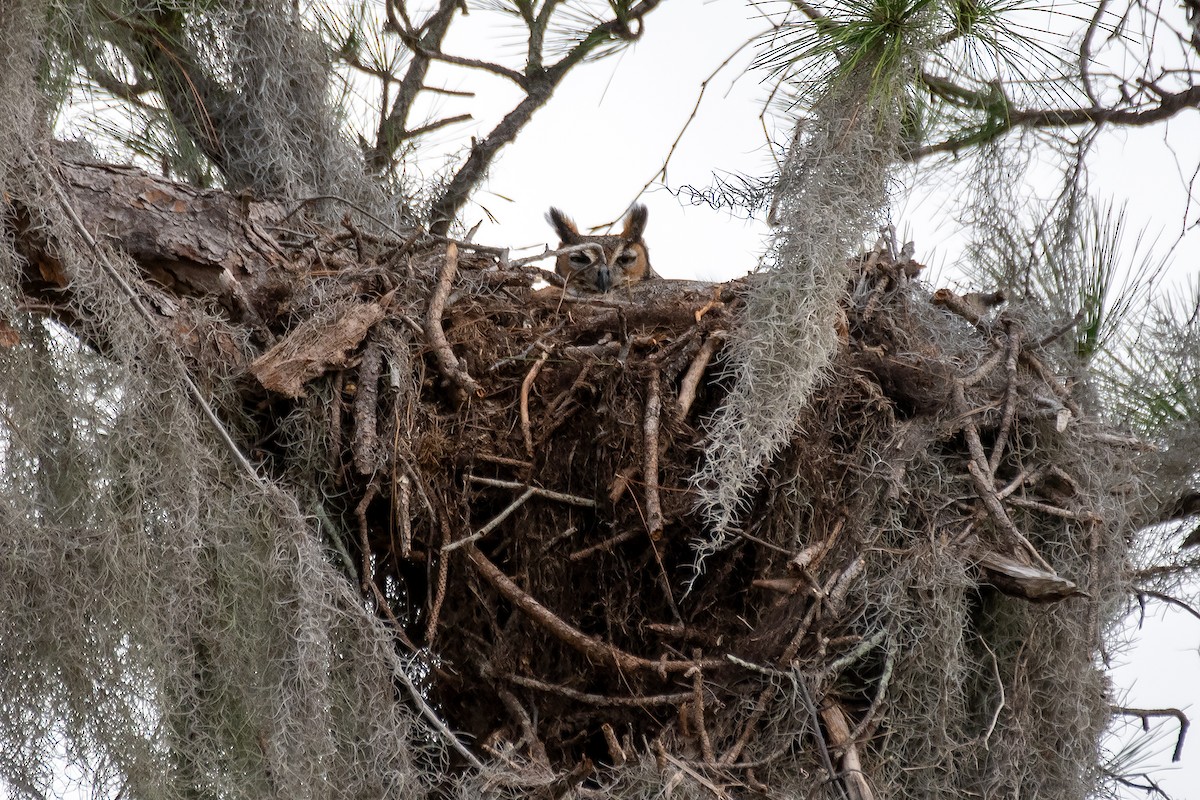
[{"x": 509, "y": 470}]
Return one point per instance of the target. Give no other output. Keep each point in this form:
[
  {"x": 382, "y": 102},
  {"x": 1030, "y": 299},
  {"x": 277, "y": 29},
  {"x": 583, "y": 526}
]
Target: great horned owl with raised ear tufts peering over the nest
[{"x": 616, "y": 261}]
